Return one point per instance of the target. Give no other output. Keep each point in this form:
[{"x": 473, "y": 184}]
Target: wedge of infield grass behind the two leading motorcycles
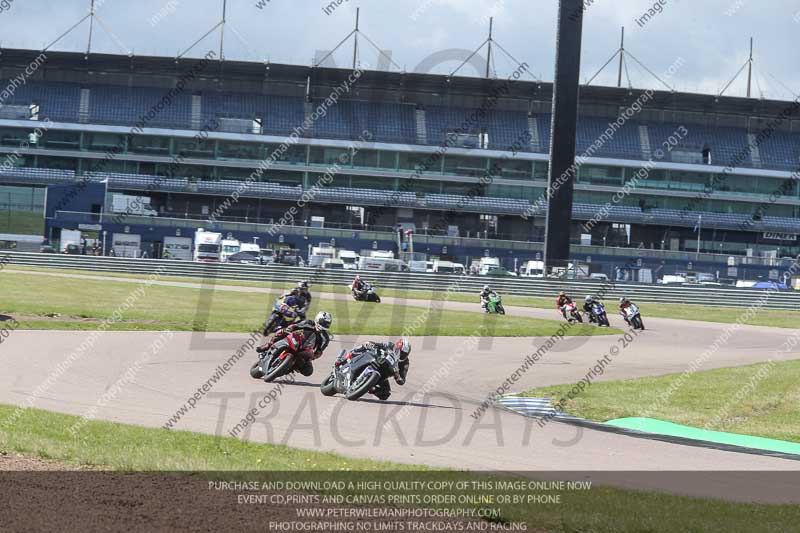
[{"x": 28, "y": 297}]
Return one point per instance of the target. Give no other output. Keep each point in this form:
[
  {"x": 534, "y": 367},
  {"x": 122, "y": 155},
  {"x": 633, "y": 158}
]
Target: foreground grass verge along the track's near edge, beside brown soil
[{"x": 122, "y": 447}]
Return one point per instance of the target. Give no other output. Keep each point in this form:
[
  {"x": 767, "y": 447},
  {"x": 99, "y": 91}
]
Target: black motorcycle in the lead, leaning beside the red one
[{"x": 359, "y": 375}]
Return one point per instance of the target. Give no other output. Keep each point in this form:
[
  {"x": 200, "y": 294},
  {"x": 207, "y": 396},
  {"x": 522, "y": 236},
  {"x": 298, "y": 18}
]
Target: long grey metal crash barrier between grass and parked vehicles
[{"x": 280, "y": 275}]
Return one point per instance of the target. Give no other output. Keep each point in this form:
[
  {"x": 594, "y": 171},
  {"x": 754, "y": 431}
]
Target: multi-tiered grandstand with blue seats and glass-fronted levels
[{"x": 418, "y": 147}]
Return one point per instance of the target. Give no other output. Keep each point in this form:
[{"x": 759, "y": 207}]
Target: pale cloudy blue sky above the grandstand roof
[{"x": 693, "y": 45}]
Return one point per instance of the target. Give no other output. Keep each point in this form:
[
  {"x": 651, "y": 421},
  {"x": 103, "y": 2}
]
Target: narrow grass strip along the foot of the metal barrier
[{"x": 703, "y": 313}]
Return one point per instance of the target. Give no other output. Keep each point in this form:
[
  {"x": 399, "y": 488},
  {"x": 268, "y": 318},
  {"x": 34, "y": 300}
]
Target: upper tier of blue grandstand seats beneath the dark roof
[{"x": 395, "y": 123}]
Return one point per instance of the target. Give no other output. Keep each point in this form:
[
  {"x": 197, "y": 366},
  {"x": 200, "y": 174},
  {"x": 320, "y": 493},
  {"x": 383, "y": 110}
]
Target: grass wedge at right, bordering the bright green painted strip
[{"x": 767, "y": 408}]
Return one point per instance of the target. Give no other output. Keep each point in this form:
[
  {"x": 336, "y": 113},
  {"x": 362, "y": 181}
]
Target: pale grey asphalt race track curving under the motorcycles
[{"x": 426, "y": 422}]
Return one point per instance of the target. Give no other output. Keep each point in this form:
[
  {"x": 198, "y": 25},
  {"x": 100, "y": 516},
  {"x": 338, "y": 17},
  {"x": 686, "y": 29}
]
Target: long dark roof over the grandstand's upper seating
[{"x": 273, "y": 78}]
